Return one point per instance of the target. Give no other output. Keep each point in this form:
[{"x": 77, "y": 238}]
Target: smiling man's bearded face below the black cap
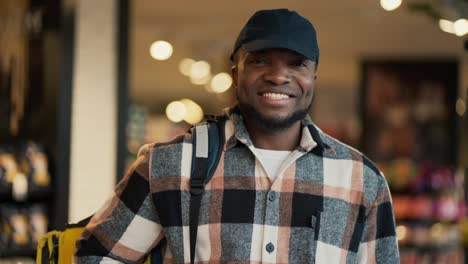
[{"x": 274, "y": 87}]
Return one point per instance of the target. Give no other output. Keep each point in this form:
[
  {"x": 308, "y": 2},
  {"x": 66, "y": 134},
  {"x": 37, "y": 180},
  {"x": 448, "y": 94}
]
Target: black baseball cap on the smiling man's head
[{"x": 278, "y": 28}]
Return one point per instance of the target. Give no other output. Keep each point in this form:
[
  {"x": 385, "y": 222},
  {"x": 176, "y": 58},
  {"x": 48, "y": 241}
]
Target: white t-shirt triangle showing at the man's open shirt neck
[{"x": 272, "y": 160}]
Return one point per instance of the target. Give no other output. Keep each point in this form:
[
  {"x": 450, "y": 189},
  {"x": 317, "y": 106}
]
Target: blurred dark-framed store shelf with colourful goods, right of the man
[{"x": 409, "y": 130}]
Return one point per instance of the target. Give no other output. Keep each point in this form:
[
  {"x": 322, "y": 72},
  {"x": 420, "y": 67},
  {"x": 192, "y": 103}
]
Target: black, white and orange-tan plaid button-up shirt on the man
[{"x": 329, "y": 204}]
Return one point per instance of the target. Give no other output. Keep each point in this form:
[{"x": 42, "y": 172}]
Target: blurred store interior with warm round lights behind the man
[{"x": 83, "y": 84}]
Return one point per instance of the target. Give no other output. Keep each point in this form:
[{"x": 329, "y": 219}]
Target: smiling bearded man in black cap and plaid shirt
[{"x": 283, "y": 191}]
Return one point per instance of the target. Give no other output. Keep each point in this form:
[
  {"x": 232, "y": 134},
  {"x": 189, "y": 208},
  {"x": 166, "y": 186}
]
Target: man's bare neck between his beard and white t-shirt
[{"x": 287, "y": 139}]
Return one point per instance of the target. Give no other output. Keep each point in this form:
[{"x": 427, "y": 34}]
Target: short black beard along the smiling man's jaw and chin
[{"x": 273, "y": 123}]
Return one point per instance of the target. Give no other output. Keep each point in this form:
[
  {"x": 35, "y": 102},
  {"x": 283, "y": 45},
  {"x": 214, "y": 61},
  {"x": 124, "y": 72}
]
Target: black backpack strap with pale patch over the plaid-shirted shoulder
[{"x": 207, "y": 143}]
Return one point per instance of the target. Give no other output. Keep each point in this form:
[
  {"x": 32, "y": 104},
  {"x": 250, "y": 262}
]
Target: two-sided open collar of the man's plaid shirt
[{"x": 235, "y": 132}]
